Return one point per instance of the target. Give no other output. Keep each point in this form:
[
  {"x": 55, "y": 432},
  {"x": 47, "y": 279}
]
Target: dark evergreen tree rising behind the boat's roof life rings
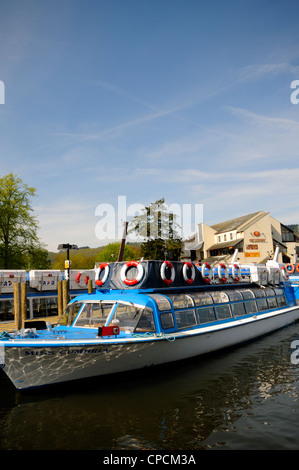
[{"x": 159, "y": 228}]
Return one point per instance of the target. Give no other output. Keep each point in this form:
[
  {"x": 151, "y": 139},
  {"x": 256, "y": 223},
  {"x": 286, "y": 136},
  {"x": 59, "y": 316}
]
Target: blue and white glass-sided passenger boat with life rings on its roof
[{"x": 149, "y": 313}]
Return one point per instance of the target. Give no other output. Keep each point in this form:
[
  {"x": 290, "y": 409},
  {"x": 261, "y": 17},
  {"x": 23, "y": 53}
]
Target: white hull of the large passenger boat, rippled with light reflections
[{"x": 32, "y": 365}]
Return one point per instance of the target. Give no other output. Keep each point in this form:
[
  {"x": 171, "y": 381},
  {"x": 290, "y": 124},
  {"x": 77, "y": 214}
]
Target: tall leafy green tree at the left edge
[{"x": 18, "y": 226}]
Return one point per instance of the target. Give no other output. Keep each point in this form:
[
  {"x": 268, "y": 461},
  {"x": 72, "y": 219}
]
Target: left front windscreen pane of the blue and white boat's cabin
[{"x": 94, "y": 314}]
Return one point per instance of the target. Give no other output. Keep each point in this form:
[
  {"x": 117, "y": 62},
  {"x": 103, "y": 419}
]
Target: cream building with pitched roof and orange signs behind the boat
[{"x": 255, "y": 235}]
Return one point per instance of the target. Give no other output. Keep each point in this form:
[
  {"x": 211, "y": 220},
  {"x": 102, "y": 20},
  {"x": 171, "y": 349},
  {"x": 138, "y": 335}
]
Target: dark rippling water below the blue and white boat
[{"x": 244, "y": 398}]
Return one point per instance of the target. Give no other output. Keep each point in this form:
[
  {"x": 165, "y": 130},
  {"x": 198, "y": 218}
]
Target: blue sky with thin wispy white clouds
[{"x": 109, "y": 103}]
